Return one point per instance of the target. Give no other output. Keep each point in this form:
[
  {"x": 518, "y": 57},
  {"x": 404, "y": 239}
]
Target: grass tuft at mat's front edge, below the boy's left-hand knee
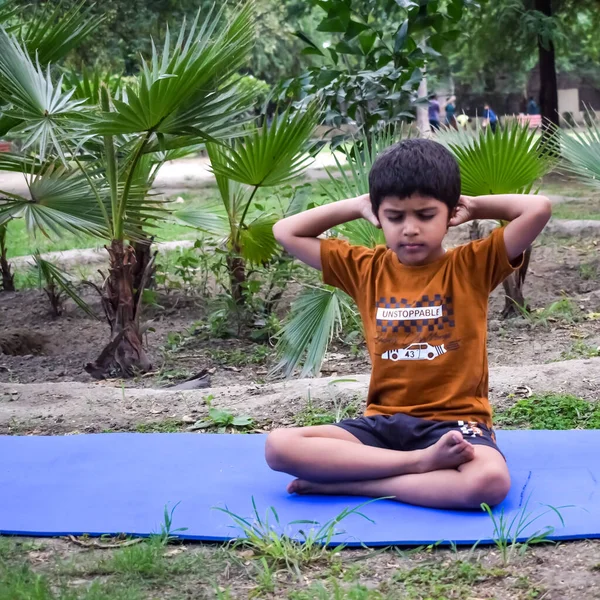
[{"x": 275, "y": 543}]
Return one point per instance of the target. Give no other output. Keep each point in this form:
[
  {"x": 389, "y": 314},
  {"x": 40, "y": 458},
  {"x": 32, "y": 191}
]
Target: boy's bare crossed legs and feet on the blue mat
[{"x": 329, "y": 460}]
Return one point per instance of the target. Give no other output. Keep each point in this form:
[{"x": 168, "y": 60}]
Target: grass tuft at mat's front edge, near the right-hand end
[{"x": 508, "y": 533}]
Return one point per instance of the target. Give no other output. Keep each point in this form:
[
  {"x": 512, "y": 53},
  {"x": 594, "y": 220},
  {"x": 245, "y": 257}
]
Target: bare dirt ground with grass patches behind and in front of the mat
[{"x": 49, "y": 393}]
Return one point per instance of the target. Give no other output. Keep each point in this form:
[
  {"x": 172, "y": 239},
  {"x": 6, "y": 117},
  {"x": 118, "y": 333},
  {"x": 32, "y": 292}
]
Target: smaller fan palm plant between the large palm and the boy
[{"x": 265, "y": 157}]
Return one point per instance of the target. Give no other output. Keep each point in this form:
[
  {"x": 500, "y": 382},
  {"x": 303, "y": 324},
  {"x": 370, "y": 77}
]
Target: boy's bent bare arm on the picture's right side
[{"x": 527, "y": 213}]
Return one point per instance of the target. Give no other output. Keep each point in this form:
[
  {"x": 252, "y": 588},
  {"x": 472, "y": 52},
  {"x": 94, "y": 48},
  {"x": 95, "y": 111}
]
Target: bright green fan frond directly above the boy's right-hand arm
[{"x": 508, "y": 161}]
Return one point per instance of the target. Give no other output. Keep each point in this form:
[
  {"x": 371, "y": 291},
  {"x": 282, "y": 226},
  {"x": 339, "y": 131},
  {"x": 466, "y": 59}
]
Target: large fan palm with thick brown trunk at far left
[{"x": 87, "y": 163}]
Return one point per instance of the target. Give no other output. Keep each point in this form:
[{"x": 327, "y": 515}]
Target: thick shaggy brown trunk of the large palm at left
[{"x": 124, "y": 355}]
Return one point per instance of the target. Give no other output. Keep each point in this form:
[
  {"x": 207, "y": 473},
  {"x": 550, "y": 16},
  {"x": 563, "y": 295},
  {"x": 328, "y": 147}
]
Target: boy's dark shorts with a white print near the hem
[{"x": 404, "y": 432}]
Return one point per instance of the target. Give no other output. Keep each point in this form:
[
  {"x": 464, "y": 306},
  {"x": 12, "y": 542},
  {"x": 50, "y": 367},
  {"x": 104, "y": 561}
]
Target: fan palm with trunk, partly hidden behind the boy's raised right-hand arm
[{"x": 510, "y": 161}]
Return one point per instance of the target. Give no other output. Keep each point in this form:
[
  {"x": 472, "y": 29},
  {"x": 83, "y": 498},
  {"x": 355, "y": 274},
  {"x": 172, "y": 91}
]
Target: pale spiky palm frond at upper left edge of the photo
[{"x": 44, "y": 112}]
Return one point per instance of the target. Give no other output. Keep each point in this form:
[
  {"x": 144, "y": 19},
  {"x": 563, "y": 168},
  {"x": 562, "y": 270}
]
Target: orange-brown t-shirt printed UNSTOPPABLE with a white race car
[{"x": 425, "y": 326}]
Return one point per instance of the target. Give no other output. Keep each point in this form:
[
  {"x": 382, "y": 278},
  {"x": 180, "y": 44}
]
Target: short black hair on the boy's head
[{"x": 415, "y": 166}]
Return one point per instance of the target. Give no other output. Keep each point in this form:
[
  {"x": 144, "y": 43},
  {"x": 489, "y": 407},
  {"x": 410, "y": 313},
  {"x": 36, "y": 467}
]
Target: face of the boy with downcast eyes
[{"x": 414, "y": 227}]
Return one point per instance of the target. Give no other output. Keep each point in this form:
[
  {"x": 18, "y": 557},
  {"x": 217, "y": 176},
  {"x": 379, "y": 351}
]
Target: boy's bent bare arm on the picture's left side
[{"x": 299, "y": 233}]
